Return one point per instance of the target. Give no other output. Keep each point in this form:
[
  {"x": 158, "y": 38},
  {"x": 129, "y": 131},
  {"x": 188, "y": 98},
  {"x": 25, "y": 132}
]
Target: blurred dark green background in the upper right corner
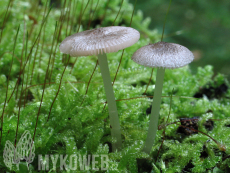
[{"x": 203, "y": 26}]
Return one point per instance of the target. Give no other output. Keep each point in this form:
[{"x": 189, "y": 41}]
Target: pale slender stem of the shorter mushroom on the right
[{"x": 153, "y": 124}]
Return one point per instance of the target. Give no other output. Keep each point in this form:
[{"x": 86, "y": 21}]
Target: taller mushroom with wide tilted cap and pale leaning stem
[{"x": 99, "y": 42}]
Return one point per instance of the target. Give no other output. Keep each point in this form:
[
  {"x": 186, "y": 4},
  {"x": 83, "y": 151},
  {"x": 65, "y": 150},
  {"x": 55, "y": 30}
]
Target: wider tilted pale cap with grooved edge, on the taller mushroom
[{"x": 101, "y": 40}]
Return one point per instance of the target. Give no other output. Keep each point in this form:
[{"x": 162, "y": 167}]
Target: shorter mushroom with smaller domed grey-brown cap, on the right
[{"x": 161, "y": 55}]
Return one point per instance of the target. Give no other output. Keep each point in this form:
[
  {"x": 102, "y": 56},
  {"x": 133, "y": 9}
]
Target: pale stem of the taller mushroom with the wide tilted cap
[{"x": 113, "y": 115}]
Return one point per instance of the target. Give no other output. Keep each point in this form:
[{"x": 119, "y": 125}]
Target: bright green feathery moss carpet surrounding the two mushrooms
[{"x": 73, "y": 128}]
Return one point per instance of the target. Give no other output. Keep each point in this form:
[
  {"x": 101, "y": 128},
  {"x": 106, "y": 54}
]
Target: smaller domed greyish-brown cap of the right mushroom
[{"x": 162, "y": 54}]
